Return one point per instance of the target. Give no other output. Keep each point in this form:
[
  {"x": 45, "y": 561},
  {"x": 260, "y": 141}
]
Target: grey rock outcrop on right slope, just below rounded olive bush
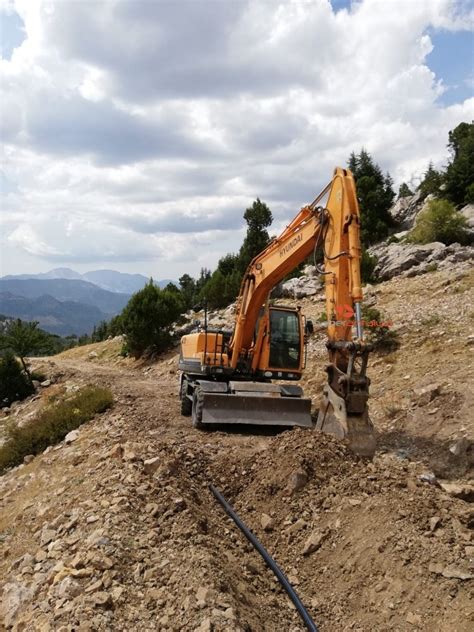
[{"x": 412, "y": 259}]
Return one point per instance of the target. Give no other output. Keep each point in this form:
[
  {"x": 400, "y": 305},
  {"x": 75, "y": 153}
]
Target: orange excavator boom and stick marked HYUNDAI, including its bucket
[{"x": 335, "y": 228}]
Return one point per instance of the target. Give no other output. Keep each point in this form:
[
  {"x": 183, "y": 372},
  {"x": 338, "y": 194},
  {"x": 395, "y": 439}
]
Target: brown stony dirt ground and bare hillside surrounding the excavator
[{"x": 118, "y": 530}]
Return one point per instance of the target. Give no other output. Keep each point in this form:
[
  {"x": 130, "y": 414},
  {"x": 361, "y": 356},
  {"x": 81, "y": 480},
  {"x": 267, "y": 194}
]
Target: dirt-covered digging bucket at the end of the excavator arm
[{"x": 356, "y": 430}]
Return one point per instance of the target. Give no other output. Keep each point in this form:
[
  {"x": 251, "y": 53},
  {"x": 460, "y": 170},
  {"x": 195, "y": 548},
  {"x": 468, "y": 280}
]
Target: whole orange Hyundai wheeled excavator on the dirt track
[{"x": 226, "y": 377}]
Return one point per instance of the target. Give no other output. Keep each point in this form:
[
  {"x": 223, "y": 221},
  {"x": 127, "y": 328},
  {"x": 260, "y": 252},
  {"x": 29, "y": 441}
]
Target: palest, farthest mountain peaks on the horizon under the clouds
[{"x": 110, "y": 280}]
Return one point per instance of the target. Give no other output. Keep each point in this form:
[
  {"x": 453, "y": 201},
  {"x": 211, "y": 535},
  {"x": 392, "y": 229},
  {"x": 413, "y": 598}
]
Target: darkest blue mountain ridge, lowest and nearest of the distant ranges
[{"x": 57, "y": 317}]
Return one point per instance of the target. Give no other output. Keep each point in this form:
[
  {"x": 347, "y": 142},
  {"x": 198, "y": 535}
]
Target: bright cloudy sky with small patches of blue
[{"x": 135, "y": 133}]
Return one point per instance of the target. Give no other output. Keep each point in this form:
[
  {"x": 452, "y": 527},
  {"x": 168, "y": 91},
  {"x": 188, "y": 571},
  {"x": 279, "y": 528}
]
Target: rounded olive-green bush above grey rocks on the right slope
[{"x": 439, "y": 221}]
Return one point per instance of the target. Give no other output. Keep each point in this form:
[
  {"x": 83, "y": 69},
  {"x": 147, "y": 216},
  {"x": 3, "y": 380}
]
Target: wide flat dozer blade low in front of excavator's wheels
[{"x": 221, "y": 408}]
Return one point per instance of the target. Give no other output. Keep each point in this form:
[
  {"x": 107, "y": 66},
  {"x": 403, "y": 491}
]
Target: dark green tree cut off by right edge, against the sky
[{"x": 459, "y": 178}]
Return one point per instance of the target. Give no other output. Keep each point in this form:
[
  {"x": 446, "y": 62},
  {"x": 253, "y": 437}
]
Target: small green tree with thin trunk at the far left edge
[{"x": 24, "y": 338}]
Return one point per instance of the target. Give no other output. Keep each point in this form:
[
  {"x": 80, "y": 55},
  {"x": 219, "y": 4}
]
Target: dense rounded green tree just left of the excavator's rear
[{"x": 148, "y": 316}]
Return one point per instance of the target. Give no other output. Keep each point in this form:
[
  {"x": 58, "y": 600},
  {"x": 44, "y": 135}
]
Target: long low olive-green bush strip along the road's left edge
[{"x": 52, "y": 424}]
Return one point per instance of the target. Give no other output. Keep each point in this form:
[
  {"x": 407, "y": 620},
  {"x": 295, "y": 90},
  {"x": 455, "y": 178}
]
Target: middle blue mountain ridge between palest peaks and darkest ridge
[{"x": 66, "y": 290}]
